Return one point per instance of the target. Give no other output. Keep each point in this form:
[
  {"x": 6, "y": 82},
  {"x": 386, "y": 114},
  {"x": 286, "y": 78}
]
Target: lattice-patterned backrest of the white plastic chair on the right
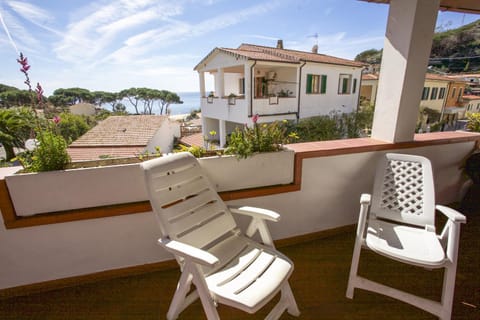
[{"x": 404, "y": 190}]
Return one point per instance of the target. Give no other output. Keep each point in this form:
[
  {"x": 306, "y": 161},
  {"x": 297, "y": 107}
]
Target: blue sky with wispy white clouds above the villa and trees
[{"x": 112, "y": 45}]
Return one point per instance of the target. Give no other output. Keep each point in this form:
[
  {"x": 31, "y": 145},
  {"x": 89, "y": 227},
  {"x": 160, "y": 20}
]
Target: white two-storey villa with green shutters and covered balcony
[{"x": 274, "y": 83}]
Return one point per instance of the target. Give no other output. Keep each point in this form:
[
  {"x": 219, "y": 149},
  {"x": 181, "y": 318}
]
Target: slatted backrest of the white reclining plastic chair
[{"x": 186, "y": 204}]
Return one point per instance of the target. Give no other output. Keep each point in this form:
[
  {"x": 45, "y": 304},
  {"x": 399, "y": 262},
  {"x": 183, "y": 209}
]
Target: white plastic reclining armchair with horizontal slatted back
[{"x": 225, "y": 265}]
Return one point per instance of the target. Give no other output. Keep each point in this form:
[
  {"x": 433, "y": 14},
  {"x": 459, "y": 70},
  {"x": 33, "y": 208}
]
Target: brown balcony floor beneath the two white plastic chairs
[{"x": 318, "y": 282}]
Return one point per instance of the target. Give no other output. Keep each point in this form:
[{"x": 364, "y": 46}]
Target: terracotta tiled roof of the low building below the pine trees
[{"x": 134, "y": 130}]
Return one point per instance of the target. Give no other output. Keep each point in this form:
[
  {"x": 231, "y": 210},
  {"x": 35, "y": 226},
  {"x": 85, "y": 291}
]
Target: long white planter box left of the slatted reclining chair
[{"x": 53, "y": 191}]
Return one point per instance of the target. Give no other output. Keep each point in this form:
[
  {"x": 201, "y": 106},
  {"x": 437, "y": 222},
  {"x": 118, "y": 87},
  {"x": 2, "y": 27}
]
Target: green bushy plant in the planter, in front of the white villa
[{"x": 265, "y": 137}]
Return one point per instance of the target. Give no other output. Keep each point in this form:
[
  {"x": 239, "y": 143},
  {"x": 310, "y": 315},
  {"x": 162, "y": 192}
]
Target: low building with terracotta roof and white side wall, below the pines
[{"x": 125, "y": 136}]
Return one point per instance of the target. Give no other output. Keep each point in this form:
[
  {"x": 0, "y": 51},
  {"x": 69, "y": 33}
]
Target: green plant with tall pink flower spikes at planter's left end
[{"x": 47, "y": 150}]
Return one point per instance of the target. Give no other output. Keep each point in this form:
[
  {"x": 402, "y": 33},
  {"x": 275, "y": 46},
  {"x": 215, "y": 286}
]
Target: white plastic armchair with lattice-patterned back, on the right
[{"x": 398, "y": 221}]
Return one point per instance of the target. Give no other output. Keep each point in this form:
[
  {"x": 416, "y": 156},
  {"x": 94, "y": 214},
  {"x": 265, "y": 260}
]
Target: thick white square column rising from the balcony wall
[{"x": 407, "y": 46}]
